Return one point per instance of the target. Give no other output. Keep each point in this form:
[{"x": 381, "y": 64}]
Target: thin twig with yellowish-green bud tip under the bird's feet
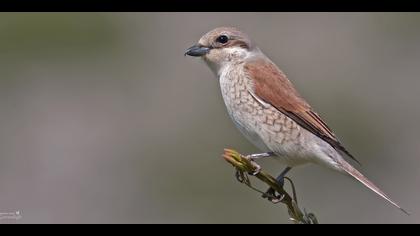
[{"x": 244, "y": 166}]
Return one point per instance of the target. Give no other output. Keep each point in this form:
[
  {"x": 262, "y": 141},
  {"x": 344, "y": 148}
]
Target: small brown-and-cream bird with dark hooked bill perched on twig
[{"x": 269, "y": 111}]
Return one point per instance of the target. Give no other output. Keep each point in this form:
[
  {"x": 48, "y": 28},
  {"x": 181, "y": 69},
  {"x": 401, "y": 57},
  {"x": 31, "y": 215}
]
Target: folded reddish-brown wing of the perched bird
[{"x": 273, "y": 87}]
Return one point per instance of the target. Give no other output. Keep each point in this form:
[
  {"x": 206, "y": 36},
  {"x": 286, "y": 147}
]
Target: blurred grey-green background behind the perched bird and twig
[{"x": 103, "y": 120}]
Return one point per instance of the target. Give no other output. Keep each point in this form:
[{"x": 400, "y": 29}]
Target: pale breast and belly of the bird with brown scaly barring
[{"x": 265, "y": 126}]
